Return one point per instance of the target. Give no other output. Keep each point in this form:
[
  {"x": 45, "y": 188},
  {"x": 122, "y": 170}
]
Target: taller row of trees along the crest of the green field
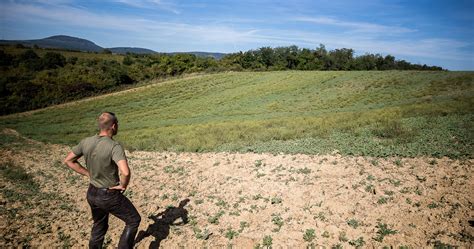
[{"x": 294, "y": 58}]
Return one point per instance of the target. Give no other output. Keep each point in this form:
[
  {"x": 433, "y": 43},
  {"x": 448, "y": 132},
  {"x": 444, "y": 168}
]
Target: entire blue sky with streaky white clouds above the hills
[{"x": 432, "y": 32}]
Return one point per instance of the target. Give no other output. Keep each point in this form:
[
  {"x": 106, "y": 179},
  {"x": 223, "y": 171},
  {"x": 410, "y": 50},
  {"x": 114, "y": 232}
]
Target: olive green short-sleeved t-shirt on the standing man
[{"x": 101, "y": 154}]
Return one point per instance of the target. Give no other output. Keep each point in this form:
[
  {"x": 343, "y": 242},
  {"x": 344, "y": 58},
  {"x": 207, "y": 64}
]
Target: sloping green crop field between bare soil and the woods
[{"x": 376, "y": 113}]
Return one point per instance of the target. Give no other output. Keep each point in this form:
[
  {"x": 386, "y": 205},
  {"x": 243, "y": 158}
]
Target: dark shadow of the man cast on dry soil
[{"x": 163, "y": 221}]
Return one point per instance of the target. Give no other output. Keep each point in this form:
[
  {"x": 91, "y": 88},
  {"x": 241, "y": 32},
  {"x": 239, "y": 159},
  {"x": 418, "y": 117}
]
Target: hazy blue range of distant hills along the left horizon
[{"x": 75, "y": 43}]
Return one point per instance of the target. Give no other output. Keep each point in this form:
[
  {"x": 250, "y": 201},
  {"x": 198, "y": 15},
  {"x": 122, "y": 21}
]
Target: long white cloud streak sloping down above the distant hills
[{"x": 140, "y": 27}]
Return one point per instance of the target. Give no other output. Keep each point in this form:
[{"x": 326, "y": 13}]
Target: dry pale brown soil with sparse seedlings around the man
[{"x": 245, "y": 200}]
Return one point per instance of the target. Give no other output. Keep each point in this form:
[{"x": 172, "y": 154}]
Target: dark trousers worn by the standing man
[{"x": 104, "y": 202}]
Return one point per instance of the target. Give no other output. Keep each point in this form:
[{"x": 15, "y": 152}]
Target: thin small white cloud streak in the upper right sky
[{"x": 360, "y": 27}]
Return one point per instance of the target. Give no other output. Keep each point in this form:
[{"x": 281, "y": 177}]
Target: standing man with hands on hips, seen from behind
[{"x": 105, "y": 158}]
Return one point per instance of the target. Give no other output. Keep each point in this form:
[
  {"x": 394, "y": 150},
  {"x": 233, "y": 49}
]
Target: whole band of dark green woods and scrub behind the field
[{"x": 36, "y": 78}]
